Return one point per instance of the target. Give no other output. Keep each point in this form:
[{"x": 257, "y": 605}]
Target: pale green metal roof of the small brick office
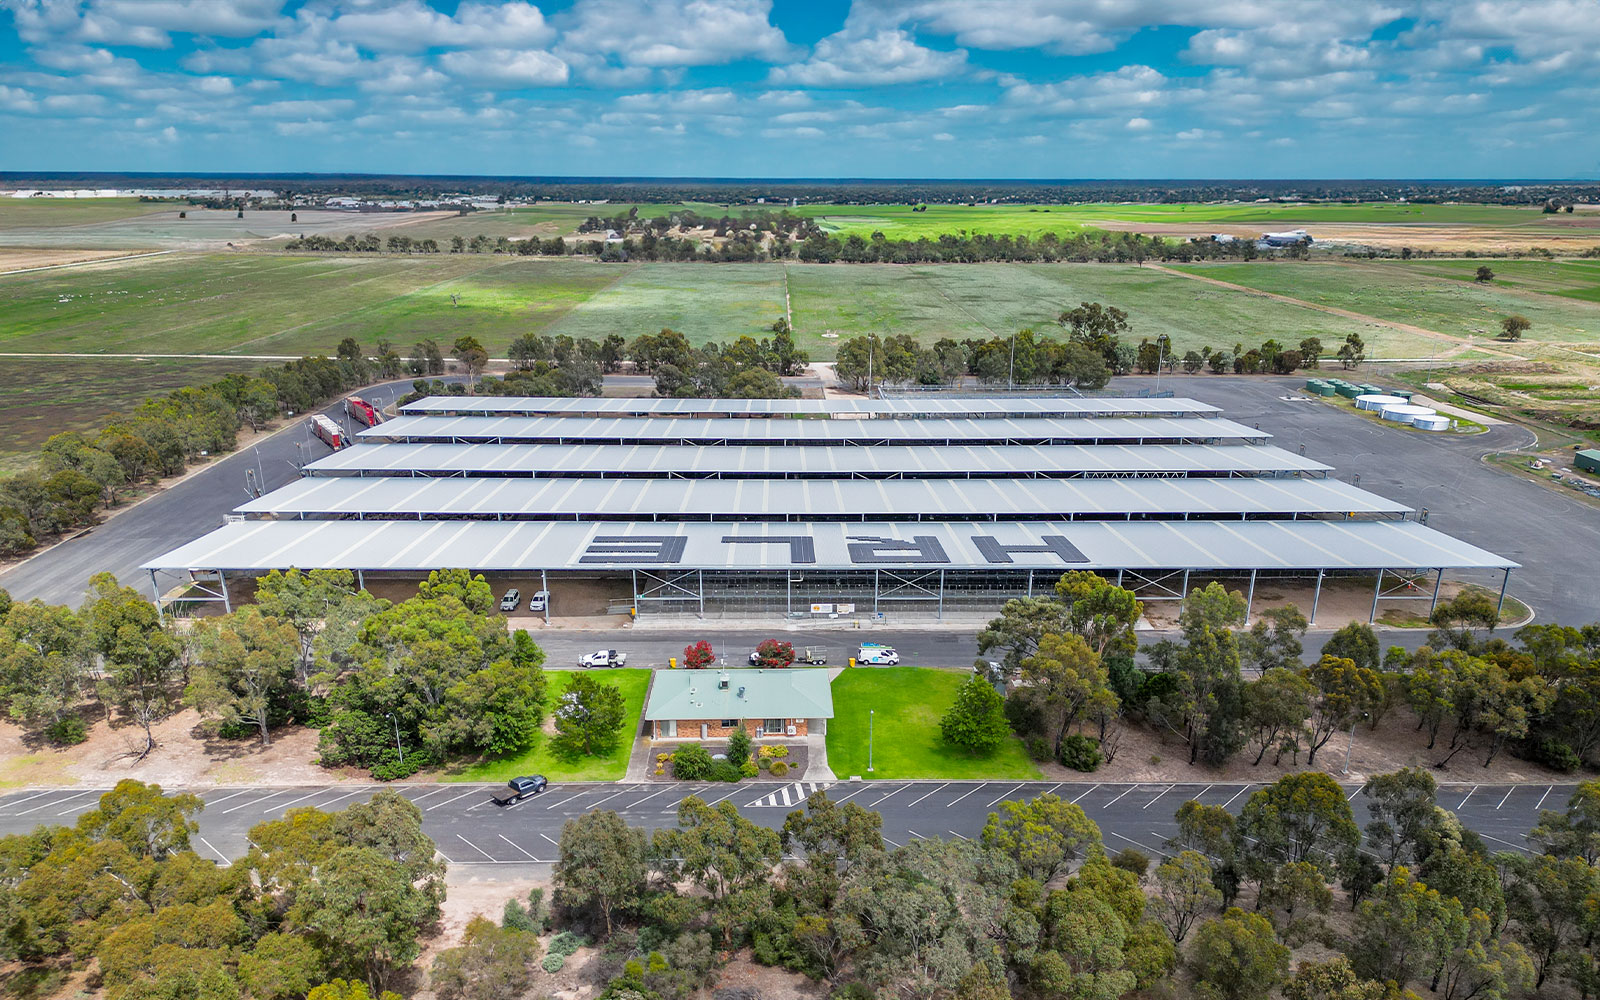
[{"x": 793, "y": 694}]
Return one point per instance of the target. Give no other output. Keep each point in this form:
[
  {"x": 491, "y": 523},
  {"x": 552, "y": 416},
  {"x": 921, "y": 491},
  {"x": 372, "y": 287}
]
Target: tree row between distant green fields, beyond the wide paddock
[{"x": 756, "y": 241}]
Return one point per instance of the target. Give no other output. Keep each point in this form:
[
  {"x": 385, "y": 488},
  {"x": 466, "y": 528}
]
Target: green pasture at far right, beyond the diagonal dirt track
[{"x": 1399, "y": 292}]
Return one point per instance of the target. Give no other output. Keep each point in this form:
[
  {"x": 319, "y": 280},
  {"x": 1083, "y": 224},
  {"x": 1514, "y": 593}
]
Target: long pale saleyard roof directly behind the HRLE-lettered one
[{"x": 822, "y": 500}]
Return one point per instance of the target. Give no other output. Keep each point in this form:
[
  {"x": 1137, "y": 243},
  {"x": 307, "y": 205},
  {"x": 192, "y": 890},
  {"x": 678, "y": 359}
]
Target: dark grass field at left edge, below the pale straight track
[{"x": 49, "y": 396}]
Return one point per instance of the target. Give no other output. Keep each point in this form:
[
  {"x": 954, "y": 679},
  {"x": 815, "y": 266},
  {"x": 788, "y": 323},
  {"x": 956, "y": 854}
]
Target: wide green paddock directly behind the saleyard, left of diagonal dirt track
[{"x": 290, "y": 305}]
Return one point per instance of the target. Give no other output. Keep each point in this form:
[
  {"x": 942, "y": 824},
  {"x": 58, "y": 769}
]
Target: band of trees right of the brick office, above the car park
[{"x": 1076, "y": 682}]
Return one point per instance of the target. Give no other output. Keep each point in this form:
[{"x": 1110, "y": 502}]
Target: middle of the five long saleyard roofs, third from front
[{"x": 841, "y": 462}]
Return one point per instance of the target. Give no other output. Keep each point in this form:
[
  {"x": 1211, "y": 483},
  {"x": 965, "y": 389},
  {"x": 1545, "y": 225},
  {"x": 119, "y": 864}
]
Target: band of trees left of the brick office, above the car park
[{"x": 393, "y": 687}]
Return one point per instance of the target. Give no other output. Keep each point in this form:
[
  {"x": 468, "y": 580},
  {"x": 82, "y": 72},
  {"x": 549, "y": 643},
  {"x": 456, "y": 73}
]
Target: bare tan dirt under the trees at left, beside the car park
[{"x": 185, "y": 756}]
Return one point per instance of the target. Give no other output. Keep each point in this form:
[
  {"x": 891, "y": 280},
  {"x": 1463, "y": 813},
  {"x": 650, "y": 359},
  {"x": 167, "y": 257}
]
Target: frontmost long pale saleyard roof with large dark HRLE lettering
[{"x": 1055, "y": 546}]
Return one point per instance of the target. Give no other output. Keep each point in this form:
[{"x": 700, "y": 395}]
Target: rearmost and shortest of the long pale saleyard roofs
[{"x": 934, "y": 406}]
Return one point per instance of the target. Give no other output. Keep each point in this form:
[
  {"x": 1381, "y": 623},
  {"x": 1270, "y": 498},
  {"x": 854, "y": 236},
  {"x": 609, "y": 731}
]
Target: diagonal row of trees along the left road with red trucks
[{"x": 79, "y": 474}]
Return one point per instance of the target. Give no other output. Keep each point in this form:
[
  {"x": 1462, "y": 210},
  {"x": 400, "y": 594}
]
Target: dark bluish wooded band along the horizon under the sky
[{"x": 844, "y": 191}]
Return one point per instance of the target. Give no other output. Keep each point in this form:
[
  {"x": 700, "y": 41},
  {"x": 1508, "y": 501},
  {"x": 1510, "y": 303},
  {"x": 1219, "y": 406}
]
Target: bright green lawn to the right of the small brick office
[{"x": 908, "y": 705}]
